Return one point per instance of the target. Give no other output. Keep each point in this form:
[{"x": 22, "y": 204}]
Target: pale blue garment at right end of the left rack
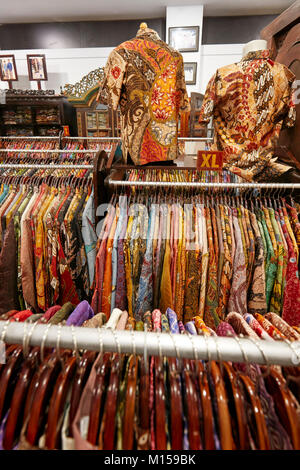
[{"x": 89, "y": 235}]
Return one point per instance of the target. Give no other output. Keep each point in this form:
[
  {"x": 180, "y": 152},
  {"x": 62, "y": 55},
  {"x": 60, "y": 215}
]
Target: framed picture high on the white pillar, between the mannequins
[{"x": 184, "y": 38}]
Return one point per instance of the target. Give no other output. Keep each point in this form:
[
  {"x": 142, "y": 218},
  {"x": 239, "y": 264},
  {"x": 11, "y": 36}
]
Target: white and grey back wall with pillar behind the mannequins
[{"x": 67, "y": 64}]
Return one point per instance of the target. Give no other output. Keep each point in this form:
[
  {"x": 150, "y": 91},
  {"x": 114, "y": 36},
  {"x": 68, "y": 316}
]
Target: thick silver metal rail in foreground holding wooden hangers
[{"x": 235, "y": 349}]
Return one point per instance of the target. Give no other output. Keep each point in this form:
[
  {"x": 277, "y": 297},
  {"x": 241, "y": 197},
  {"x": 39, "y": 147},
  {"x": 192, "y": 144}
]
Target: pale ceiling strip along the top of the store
[{"x": 27, "y": 11}]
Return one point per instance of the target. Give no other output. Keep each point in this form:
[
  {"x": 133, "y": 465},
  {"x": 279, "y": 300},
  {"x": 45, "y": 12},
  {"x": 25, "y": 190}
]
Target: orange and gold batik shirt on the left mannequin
[{"x": 145, "y": 77}]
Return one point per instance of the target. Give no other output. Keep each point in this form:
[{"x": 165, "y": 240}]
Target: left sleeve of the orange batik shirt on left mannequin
[{"x": 114, "y": 71}]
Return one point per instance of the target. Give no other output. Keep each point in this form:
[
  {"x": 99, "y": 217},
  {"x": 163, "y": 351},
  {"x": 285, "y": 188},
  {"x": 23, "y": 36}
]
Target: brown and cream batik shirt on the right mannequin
[{"x": 249, "y": 102}]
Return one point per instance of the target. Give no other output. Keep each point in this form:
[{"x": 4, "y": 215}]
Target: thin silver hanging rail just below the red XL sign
[{"x": 179, "y": 184}]
